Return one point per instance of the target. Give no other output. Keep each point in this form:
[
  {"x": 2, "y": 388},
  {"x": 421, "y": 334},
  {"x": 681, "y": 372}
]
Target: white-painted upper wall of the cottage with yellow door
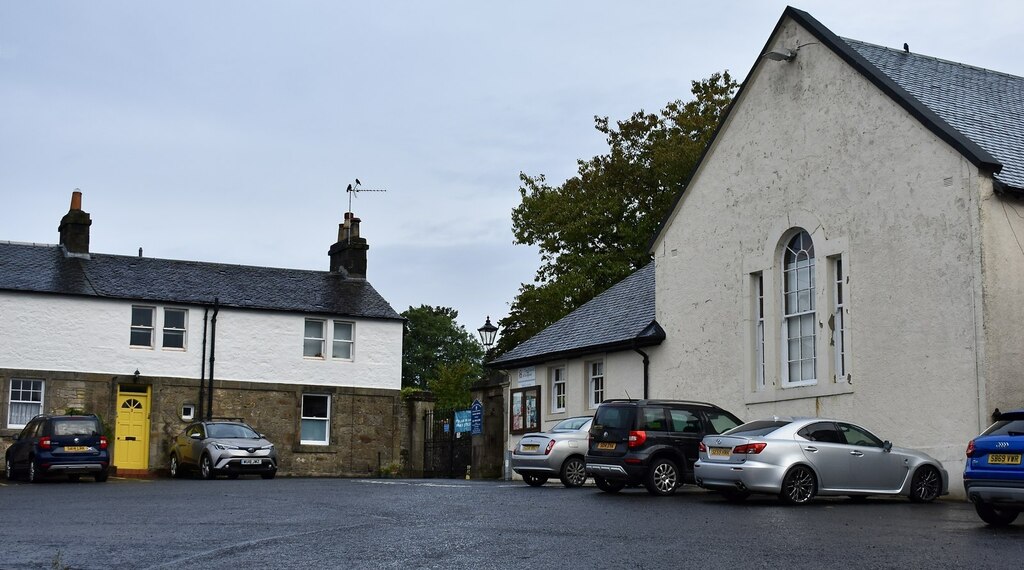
[{"x": 53, "y": 333}]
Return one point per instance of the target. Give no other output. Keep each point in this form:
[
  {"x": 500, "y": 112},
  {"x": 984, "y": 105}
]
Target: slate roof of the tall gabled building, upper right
[{"x": 986, "y": 107}]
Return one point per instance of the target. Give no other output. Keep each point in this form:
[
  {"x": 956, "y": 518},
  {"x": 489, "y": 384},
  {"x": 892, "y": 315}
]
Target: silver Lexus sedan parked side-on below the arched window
[{"x": 798, "y": 460}]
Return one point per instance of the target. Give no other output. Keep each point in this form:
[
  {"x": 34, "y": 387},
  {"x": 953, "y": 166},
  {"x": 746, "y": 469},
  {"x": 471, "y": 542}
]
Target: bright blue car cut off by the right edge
[{"x": 994, "y": 477}]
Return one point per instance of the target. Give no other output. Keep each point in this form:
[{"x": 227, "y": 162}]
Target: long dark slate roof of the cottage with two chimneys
[{"x": 47, "y": 270}]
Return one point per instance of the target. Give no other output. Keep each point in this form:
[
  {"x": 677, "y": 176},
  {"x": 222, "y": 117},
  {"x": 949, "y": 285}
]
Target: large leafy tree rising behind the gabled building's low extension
[{"x": 595, "y": 229}]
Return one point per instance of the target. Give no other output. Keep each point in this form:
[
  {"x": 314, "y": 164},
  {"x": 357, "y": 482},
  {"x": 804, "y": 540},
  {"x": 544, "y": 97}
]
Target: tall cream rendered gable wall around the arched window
[{"x": 814, "y": 145}]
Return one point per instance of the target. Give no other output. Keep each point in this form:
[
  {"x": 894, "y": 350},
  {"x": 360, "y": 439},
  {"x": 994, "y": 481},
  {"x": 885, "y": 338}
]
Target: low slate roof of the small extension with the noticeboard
[{"x": 620, "y": 319}]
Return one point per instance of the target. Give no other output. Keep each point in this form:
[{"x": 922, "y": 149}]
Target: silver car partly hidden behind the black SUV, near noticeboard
[{"x": 560, "y": 453}]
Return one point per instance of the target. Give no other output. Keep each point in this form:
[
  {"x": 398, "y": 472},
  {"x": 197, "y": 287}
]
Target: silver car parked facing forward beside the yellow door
[{"x": 231, "y": 449}]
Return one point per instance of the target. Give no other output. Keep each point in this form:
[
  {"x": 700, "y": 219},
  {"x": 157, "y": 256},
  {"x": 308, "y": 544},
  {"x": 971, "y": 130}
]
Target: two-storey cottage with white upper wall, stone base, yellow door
[{"x": 312, "y": 359}]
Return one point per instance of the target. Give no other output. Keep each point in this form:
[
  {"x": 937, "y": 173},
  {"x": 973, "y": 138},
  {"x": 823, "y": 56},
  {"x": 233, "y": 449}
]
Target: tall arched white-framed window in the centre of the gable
[{"x": 799, "y": 358}]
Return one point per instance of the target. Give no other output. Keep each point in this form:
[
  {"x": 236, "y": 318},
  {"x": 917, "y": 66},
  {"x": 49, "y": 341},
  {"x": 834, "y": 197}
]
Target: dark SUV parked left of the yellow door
[{"x": 72, "y": 446}]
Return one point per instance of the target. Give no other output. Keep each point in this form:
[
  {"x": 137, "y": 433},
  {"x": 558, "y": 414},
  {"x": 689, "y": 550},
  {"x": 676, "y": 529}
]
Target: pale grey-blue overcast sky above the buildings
[{"x": 228, "y": 131}]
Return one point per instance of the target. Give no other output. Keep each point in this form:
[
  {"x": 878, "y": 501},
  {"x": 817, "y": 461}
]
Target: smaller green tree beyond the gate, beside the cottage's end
[{"x": 440, "y": 355}]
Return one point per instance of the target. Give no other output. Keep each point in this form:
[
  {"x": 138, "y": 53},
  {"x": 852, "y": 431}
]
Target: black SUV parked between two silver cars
[{"x": 654, "y": 443}]
